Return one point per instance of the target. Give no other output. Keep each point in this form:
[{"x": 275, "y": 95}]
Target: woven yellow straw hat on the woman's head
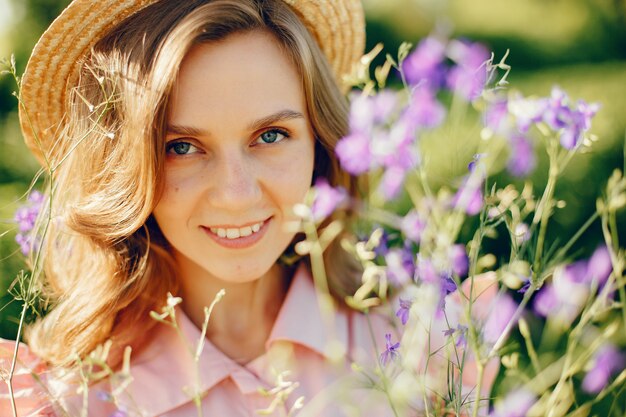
[{"x": 53, "y": 68}]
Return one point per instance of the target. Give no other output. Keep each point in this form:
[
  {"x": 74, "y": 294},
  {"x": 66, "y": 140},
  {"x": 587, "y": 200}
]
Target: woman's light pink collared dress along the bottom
[{"x": 295, "y": 374}]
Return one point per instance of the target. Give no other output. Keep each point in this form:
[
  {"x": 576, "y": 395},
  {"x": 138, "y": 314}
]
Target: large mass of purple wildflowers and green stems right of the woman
[{"x": 546, "y": 324}]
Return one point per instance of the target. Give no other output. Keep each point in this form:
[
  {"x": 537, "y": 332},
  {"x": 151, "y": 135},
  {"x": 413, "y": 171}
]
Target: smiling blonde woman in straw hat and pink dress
[{"x": 178, "y": 136}]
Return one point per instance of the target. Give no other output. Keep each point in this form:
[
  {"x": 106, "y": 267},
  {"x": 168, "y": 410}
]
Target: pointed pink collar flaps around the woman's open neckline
[{"x": 168, "y": 360}]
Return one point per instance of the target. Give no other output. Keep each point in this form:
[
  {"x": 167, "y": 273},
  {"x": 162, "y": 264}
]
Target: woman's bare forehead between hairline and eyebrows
[{"x": 245, "y": 75}]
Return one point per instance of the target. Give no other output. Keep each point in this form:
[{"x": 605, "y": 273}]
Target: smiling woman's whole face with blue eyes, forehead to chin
[{"x": 240, "y": 154}]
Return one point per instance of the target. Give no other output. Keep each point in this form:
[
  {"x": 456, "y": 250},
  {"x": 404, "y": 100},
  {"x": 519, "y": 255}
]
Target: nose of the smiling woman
[{"x": 235, "y": 183}]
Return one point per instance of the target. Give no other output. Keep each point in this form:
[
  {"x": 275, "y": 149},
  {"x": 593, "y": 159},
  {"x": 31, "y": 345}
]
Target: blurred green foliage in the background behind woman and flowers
[{"x": 578, "y": 44}]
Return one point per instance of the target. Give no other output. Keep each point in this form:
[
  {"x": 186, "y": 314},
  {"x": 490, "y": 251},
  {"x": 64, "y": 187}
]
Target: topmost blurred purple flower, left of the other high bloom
[{"x": 425, "y": 63}]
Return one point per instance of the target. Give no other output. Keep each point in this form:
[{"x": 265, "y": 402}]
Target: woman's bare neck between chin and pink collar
[{"x": 241, "y": 322}]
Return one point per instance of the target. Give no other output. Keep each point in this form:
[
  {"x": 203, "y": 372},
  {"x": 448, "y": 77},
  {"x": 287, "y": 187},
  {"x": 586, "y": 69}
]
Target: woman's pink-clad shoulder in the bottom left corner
[{"x": 27, "y": 382}]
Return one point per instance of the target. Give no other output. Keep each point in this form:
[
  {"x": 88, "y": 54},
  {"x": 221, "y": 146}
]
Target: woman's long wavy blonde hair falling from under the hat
[{"x": 106, "y": 264}]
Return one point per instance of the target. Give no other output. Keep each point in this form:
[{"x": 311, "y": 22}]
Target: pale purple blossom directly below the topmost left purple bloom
[{"x": 425, "y": 111}]
